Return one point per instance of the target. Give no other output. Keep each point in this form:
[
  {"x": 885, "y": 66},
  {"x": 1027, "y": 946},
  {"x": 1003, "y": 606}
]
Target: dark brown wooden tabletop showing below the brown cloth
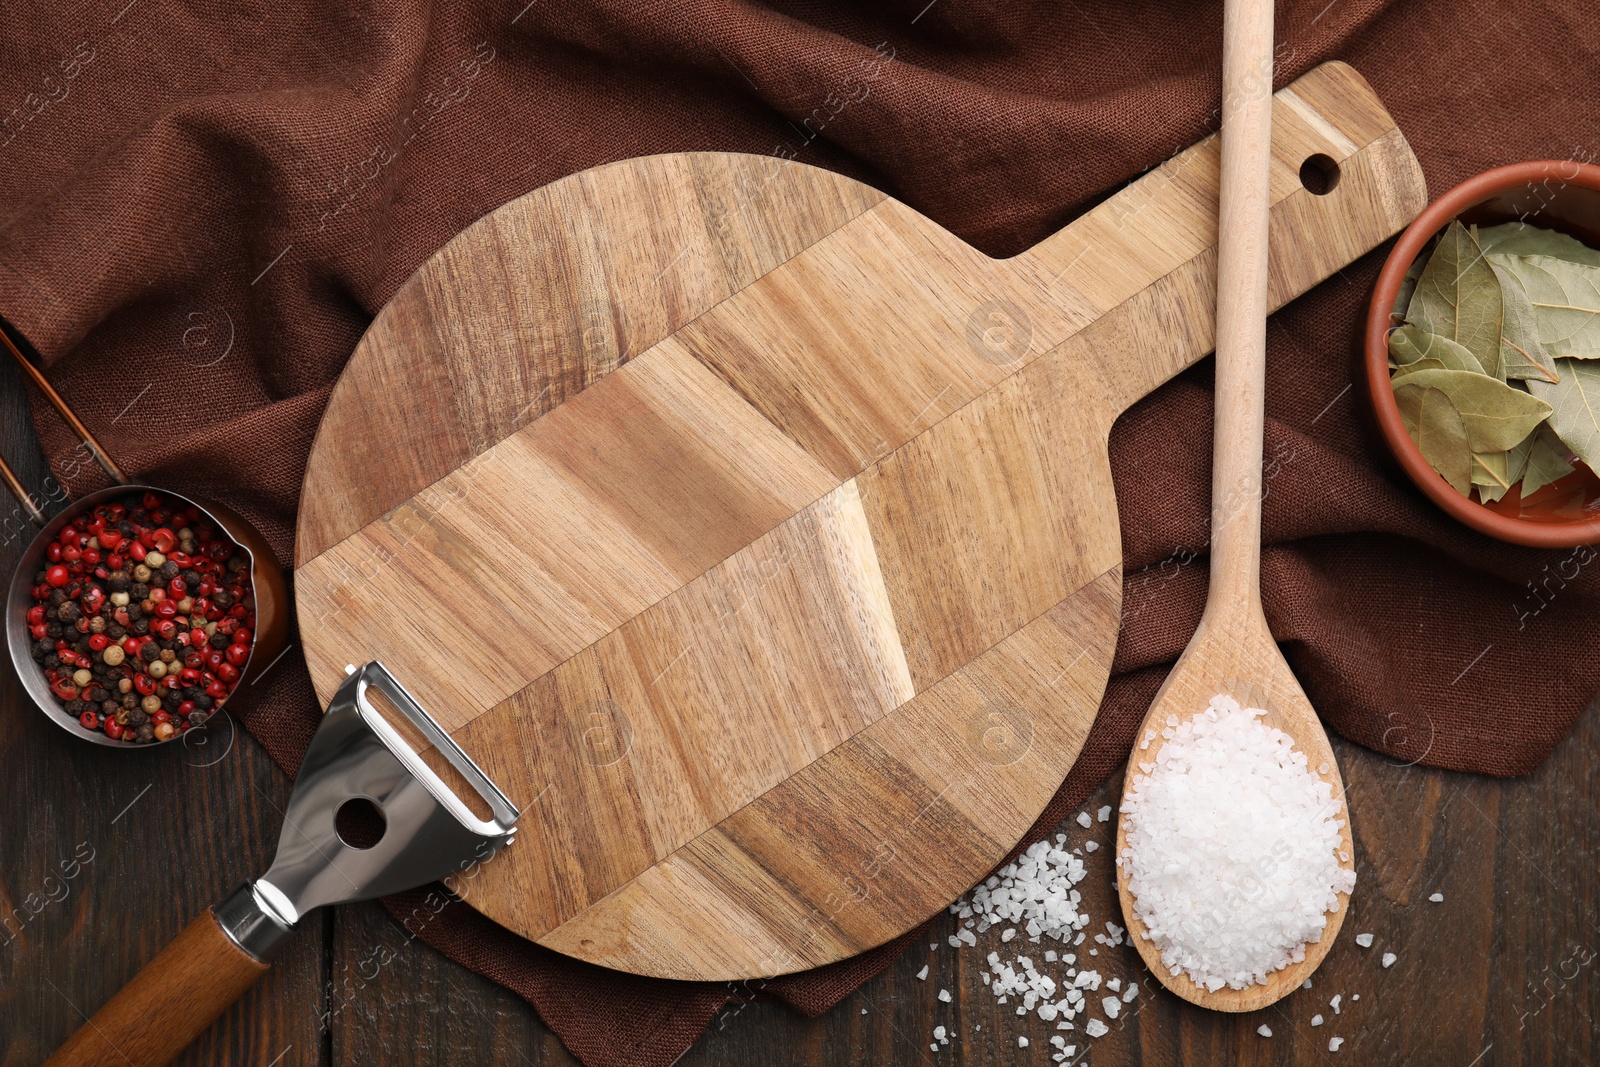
[{"x": 105, "y": 857}]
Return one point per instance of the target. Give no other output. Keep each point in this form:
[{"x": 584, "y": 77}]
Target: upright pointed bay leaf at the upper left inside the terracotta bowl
[{"x": 1460, "y": 298}]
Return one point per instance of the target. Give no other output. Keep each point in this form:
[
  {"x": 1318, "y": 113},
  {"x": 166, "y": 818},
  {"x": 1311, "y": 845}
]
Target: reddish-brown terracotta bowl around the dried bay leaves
[{"x": 1553, "y": 194}]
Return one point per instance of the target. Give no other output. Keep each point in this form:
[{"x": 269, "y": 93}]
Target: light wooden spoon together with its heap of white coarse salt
[{"x": 1234, "y": 857}]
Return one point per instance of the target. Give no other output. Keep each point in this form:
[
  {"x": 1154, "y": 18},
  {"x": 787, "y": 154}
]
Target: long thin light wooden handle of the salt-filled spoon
[{"x": 1242, "y": 306}]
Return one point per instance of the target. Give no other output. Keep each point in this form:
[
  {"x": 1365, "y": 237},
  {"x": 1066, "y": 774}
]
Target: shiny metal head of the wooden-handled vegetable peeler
[{"x": 430, "y": 833}]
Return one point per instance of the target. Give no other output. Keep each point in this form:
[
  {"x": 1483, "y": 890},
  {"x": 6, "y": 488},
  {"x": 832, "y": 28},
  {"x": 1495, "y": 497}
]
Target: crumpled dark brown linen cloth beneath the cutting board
[{"x": 206, "y": 207}]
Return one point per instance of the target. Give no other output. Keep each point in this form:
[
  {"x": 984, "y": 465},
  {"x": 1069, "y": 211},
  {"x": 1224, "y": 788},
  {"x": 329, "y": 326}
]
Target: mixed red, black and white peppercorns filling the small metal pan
[{"x": 143, "y": 618}]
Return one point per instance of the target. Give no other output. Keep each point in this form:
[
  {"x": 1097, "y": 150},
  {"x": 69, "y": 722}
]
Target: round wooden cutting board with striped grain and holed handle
[{"x": 758, "y": 537}]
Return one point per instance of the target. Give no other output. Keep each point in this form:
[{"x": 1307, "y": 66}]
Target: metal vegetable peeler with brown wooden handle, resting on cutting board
[{"x": 358, "y": 756}]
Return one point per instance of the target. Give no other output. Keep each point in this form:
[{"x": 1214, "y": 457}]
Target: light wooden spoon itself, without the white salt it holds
[{"x": 1233, "y": 650}]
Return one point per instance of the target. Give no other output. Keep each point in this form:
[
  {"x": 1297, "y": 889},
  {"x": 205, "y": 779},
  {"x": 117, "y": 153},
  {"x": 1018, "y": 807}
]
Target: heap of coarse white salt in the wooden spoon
[{"x": 1233, "y": 849}]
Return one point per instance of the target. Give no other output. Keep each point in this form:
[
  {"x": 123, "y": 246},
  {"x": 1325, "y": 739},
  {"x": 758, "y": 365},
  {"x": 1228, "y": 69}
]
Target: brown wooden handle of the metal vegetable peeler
[{"x": 140, "y": 1026}]
